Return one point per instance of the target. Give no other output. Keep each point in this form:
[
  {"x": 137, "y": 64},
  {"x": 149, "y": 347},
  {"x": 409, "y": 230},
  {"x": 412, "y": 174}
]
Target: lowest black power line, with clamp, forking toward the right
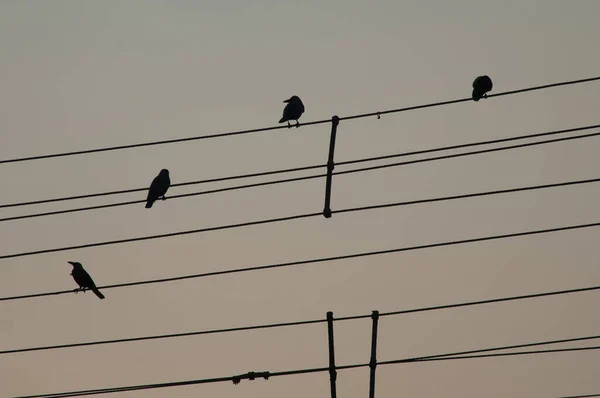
[{"x": 436, "y": 357}]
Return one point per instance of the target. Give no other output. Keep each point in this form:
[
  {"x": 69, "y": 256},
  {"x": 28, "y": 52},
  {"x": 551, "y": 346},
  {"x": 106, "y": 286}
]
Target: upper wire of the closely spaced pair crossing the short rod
[{"x": 312, "y": 167}]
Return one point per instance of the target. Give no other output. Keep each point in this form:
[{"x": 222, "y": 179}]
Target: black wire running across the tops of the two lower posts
[{"x": 298, "y": 323}]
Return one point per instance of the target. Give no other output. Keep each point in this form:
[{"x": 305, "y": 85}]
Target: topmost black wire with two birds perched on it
[{"x": 218, "y": 135}]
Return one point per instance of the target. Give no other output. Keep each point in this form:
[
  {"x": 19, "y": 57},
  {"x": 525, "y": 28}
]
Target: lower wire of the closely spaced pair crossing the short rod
[{"x": 296, "y": 179}]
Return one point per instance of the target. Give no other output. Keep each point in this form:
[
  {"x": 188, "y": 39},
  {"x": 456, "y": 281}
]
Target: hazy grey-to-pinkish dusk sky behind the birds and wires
[{"x": 77, "y": 75}]
